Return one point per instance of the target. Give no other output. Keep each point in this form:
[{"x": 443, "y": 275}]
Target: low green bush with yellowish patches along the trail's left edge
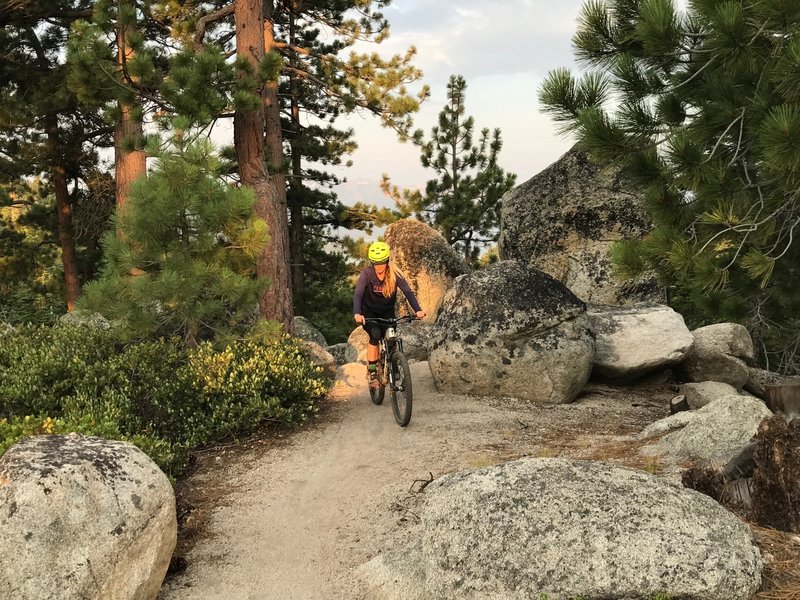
[{"x": 165, "y": 398}]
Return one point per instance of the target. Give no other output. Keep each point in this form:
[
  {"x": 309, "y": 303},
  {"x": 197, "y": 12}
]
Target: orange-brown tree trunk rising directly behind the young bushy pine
[{"x": 129, "y": 165}]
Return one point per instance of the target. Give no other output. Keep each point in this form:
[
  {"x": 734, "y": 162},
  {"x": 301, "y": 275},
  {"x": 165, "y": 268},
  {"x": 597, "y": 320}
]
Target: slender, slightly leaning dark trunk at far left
[{"x": 64, "y": 212}]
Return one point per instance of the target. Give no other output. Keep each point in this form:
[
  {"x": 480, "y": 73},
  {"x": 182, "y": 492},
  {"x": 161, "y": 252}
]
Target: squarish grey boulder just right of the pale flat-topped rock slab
[{"x": 721, "y": 352}]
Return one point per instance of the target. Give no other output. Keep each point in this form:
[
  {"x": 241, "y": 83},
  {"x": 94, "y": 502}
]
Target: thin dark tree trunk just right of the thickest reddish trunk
[{"x": 296, "y": 225}]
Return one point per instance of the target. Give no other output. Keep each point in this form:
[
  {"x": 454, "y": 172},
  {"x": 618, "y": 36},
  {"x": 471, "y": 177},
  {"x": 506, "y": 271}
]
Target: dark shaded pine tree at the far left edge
[{"x": 42, "y": 128}]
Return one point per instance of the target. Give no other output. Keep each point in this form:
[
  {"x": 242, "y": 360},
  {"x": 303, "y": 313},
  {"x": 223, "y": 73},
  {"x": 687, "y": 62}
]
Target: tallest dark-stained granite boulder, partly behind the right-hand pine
[{"x": 563, "y": 221}]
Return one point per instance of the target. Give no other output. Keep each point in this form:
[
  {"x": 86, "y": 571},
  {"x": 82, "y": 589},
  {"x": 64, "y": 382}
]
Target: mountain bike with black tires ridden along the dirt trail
[{"x": 393, "y": 370}]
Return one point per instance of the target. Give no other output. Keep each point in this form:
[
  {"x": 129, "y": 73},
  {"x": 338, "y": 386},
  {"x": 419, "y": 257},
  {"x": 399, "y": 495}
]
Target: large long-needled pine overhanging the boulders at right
[{"x": 702, "y": 109}]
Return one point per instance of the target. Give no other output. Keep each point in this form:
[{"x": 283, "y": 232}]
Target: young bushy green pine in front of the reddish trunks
[{"x": 185, "y": 262}]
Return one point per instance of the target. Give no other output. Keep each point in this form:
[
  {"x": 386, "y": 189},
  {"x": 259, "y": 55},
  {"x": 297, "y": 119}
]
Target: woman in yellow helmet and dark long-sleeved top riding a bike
[{"x": 375, "y": 296}]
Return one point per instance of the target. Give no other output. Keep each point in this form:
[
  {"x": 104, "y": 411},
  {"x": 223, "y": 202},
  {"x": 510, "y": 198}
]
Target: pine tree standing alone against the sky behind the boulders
[{"x": 463, "y": 202}]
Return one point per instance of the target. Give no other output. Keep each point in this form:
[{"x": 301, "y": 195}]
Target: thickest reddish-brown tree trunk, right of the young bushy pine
[{"x": 248, "y": 136}]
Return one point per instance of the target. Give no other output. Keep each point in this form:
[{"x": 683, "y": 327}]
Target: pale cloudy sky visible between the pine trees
[{"x": 503, "y": 49}]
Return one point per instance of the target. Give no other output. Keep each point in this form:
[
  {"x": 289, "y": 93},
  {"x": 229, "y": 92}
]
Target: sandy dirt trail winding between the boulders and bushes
[{"x": 297, "y": 519}]
